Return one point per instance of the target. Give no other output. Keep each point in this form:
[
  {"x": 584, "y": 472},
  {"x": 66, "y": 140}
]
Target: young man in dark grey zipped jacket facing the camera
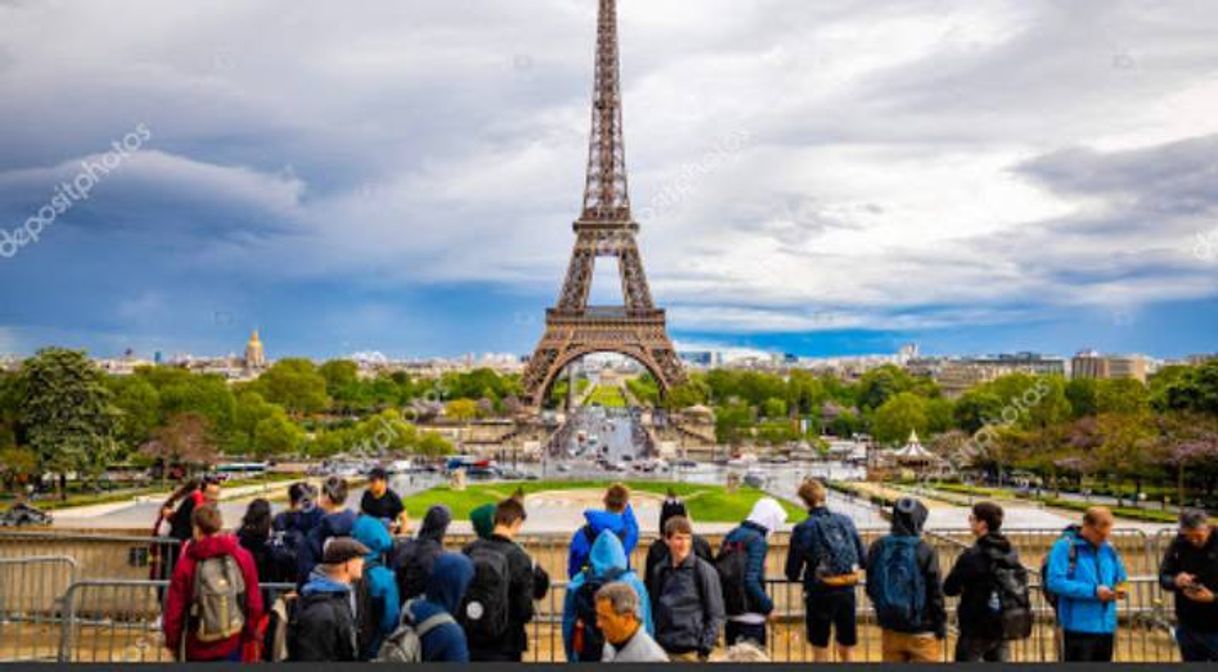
[{"x": 688, "y": 600}]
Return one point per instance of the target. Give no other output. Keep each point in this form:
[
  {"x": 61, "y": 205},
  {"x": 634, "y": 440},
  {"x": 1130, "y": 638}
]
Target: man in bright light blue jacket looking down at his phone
[{"x": 1088, "y": 578}]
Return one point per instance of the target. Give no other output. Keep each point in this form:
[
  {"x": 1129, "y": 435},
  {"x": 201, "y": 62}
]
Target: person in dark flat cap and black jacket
[{"x": 325, "y": 629}]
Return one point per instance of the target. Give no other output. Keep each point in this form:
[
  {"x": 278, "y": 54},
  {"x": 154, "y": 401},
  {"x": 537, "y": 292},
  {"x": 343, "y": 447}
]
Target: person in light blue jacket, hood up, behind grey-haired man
[{"x": 607, "y": 564}]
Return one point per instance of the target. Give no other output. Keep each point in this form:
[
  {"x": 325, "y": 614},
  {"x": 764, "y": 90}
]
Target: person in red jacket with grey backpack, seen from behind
[{"x": 209, "y": 542}]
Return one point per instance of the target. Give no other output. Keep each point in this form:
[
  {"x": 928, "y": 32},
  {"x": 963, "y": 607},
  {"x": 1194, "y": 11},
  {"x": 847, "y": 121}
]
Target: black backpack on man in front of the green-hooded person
[{"x": 484, "y": 613}]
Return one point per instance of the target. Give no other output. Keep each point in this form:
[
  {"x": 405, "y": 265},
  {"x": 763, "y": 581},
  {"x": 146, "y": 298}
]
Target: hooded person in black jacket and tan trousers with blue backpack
[{"x": 904, "y": 640}]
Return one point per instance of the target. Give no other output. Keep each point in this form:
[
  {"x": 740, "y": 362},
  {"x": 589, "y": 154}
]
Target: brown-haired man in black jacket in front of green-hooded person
[{"x": 524, "y": 586}]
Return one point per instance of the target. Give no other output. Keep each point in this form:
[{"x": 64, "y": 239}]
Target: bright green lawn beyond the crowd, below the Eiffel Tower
[{"x": 706, "y": 503}]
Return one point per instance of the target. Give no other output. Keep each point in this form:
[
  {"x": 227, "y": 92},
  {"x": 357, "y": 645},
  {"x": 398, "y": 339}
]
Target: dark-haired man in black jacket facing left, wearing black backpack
[{"x": 973, "y": 579}]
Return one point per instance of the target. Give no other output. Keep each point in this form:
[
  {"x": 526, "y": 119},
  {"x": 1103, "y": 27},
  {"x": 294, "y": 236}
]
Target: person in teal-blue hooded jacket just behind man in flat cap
[{"x": 378, "y": 604}]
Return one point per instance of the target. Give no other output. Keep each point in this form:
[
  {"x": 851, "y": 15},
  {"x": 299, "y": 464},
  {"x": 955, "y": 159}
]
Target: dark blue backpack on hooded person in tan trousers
[{"x": 896, "y": 583}]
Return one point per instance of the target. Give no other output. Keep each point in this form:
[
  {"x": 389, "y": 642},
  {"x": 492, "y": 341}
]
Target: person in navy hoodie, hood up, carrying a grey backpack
[{"x": 450, "y": 578}]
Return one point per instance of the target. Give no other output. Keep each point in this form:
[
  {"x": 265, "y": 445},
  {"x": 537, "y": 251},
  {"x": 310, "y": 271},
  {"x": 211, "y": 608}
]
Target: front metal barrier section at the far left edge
[{"x": 31, "y": 601}]
